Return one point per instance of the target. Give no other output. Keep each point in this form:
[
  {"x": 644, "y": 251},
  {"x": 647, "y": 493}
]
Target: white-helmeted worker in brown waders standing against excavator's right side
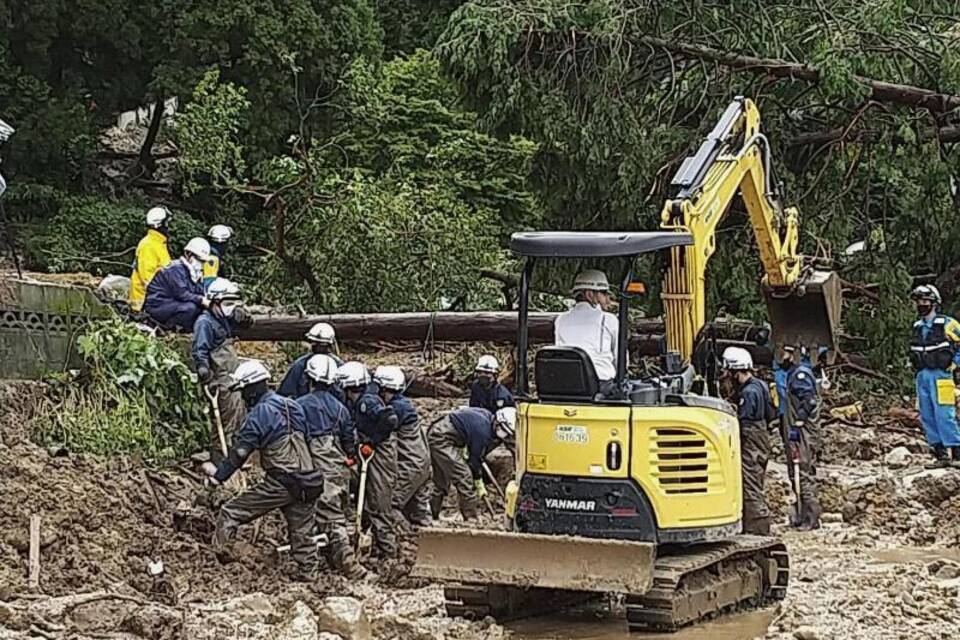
[{"x": 755, "y": 412}]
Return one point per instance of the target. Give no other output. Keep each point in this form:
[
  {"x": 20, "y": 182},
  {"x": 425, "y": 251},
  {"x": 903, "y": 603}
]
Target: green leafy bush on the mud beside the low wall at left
[{"x": 135, "y": 395}]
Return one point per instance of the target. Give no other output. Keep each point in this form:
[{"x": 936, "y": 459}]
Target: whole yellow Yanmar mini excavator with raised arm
[{"x": 636, "y": 490}]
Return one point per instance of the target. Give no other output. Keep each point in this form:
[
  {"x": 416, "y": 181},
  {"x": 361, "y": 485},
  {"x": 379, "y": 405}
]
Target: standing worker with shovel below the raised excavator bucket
[{"x": 801, "y": 423}]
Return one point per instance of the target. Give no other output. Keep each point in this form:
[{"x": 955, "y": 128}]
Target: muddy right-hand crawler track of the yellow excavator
[{"x": 700, "y": 582}]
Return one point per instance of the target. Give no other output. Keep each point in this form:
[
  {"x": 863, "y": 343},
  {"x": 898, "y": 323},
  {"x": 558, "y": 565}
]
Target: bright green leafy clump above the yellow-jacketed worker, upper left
[{"x": 208, "y": 134}]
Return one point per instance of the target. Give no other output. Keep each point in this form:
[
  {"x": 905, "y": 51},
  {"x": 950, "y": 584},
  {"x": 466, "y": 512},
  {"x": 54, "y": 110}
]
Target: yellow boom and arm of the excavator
[{"x": 733, "y": 159}]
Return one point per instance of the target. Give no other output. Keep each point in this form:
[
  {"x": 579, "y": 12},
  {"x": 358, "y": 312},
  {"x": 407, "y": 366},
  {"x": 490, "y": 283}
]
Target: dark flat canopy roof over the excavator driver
[{"x": 600, "y": 244}]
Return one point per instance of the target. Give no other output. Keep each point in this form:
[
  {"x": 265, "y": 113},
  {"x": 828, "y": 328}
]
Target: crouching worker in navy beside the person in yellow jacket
[{"x": 175, "y": 296}]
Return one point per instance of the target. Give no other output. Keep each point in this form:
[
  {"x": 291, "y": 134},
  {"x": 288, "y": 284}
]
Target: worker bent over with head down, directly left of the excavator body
[{"x": 479, "y": 431}]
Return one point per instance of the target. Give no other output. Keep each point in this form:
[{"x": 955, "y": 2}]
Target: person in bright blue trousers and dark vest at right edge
[{"x": 935, "y": 355}]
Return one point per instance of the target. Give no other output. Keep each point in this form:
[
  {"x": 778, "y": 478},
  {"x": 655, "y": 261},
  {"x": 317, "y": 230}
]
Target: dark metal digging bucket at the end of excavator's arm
[{"x": 808, "y": 314}]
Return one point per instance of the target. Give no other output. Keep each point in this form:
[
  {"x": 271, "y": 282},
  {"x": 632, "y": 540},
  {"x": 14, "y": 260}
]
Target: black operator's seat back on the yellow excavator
[{"x": 565, "y": 374}]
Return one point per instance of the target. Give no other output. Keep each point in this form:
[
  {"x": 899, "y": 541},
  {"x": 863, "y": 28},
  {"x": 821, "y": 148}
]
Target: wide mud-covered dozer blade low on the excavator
[{"x": 529, "y": 560}]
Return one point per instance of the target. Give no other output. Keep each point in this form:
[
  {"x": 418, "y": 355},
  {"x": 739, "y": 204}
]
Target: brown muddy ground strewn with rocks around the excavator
[{"x": 125, "y": 553}]
